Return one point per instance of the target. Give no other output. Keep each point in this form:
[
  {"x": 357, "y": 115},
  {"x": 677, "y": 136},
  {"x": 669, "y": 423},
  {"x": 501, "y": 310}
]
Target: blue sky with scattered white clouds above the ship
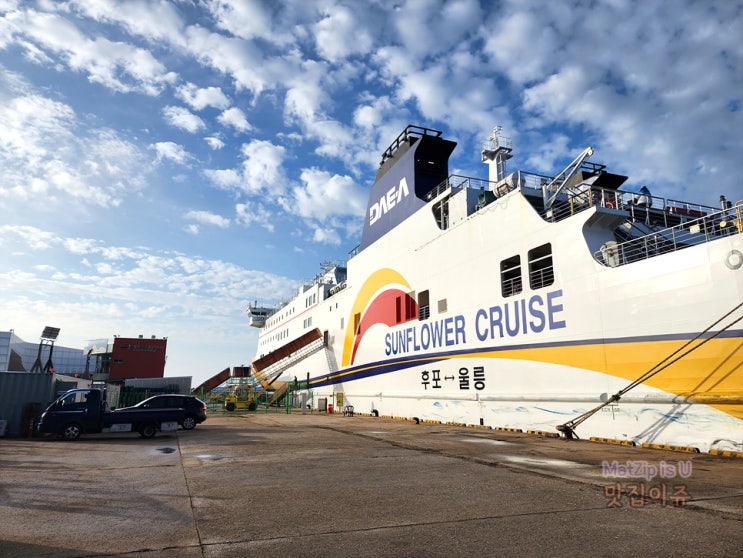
[{"x": 162, "y": 164}]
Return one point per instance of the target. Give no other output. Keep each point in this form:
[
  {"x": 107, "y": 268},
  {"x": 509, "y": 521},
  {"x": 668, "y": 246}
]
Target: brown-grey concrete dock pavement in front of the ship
[{"x": 328, "y": 485}]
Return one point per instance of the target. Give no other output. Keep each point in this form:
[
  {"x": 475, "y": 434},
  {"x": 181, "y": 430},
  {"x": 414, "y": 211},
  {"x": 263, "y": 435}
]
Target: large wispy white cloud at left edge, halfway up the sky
[{"x": 45, "y": 151}]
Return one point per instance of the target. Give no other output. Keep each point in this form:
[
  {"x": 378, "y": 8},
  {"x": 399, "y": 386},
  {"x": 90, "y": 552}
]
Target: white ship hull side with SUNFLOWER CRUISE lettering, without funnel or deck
[{"x": 567, "y": 337}]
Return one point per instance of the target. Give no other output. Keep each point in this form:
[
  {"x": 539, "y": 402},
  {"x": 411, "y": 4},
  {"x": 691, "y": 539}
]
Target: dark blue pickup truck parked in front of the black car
[{"x": 83, "y": 411}]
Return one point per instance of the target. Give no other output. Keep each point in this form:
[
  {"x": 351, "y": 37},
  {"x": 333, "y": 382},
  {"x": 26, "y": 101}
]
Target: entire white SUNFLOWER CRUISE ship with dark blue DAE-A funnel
[{"x": 565, "y": 303}]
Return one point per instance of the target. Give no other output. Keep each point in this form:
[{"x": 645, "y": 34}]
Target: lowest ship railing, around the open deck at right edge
[{"x": 701, "y": 230}]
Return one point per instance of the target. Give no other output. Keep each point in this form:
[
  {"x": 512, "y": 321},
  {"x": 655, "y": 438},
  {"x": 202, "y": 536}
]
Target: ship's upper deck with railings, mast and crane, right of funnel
[{"x": 636, "y": 225}]
